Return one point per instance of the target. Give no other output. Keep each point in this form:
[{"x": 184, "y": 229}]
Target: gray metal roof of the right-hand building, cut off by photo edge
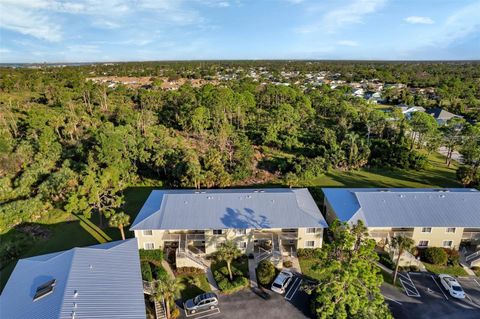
[{"x": 407, "y": 207}]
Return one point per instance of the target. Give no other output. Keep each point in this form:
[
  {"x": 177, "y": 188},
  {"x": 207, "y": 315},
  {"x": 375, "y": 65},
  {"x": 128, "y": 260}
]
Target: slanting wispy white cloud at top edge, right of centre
[{"x": 344, "y": 16}]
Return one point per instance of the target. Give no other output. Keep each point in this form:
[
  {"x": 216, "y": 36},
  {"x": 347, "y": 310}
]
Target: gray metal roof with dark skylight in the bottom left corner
[{"x": 107, "y": 278}]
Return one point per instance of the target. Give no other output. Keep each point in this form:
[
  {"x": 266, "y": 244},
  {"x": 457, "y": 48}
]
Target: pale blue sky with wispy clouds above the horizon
[{"x": 122, "y": 30}]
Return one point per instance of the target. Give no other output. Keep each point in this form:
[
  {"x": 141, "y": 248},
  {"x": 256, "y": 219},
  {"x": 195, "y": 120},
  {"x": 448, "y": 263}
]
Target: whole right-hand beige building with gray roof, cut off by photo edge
[{"x": 431, "y": 217}]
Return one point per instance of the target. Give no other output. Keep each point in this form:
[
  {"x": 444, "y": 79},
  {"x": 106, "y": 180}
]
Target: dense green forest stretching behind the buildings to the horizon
[{"x": 74, "y": 145}]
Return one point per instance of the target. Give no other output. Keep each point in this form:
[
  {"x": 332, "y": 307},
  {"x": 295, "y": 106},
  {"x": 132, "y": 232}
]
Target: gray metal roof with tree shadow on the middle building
[{"x": 229, "y": 208}]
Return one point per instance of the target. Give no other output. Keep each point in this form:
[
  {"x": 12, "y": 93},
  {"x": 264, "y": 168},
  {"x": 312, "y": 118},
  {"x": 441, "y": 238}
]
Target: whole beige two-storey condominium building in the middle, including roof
[{"x": 269, "y": 223}]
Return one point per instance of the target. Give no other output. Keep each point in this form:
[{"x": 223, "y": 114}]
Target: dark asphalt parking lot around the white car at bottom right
[{"x": 433, "y": 300}]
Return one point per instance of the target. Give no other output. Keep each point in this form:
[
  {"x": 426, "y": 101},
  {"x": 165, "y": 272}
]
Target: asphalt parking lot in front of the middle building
[{"x": 246, "y": 304}]
